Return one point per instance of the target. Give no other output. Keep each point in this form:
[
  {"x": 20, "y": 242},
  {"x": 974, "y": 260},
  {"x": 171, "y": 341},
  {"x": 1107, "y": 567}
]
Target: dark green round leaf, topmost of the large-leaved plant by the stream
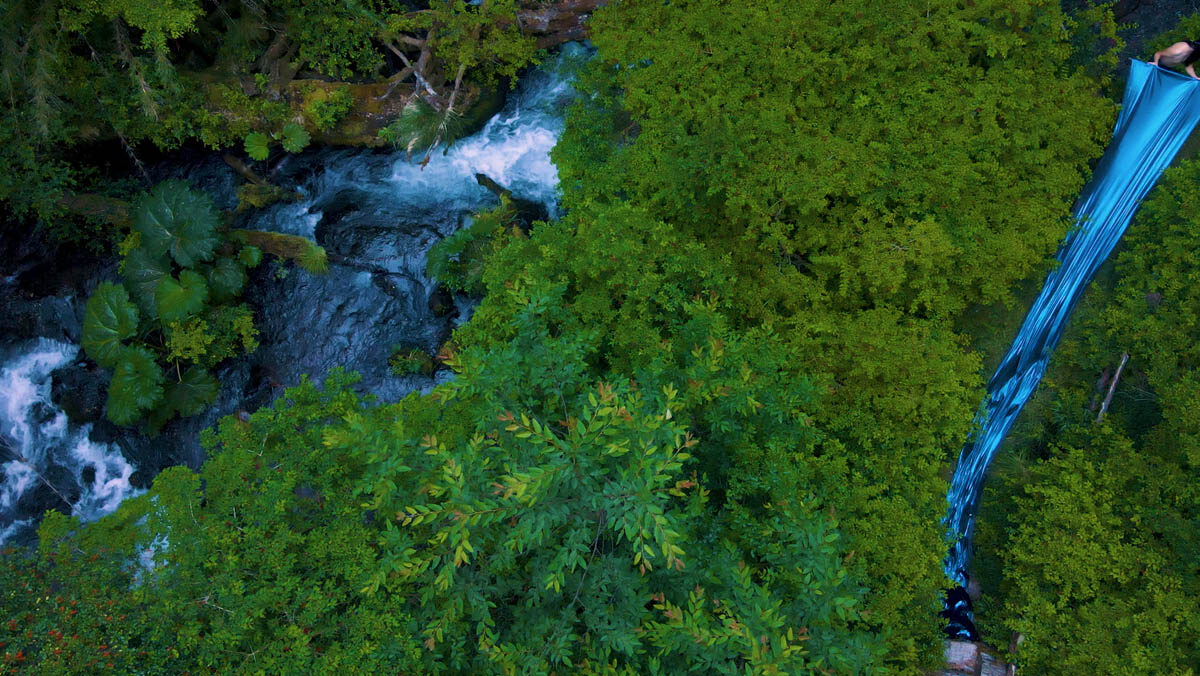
[{"x": 175, "y": 219}]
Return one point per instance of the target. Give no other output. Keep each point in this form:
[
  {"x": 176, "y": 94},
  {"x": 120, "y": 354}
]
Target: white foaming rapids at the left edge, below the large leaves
[{"x": 45, "y": 454}]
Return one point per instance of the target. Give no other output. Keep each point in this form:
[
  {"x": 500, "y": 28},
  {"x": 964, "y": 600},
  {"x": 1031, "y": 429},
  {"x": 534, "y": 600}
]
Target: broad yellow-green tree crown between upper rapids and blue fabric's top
[{"x": 878, "y": 151}]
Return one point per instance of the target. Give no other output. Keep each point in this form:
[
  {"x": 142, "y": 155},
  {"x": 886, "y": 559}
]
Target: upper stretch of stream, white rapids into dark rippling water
[{"x": 377, "y": 216}]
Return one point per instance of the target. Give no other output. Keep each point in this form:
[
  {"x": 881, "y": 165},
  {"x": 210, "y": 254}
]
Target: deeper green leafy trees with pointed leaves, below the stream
[{"x": 523, "y": 518}]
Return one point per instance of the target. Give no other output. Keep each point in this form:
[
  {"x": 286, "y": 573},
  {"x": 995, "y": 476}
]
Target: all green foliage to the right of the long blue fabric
[{"x": 1090, "y": 541}]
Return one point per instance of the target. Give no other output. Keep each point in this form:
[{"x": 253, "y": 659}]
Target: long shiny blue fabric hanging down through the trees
[{"x": 1160, "y": 110}]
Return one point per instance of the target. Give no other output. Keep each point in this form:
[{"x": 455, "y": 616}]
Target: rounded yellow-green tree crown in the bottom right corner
[{"x": 1097, "y": 573}]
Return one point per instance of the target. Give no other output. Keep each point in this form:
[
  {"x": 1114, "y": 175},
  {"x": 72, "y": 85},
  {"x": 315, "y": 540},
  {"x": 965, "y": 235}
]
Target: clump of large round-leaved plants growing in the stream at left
[{"x": 178, "y": 309}]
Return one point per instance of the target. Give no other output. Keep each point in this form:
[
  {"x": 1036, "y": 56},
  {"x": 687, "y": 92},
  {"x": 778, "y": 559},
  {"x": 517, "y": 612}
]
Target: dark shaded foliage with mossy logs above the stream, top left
[{"x": 131, "y": 71}]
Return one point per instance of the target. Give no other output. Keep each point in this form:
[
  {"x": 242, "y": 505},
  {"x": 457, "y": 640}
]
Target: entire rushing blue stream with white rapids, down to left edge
[{"x": 377, "y": 214}]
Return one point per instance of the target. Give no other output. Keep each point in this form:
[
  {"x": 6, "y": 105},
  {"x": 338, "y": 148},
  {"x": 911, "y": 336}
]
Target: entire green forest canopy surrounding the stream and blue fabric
[{"x": 704, "y": 421}]
